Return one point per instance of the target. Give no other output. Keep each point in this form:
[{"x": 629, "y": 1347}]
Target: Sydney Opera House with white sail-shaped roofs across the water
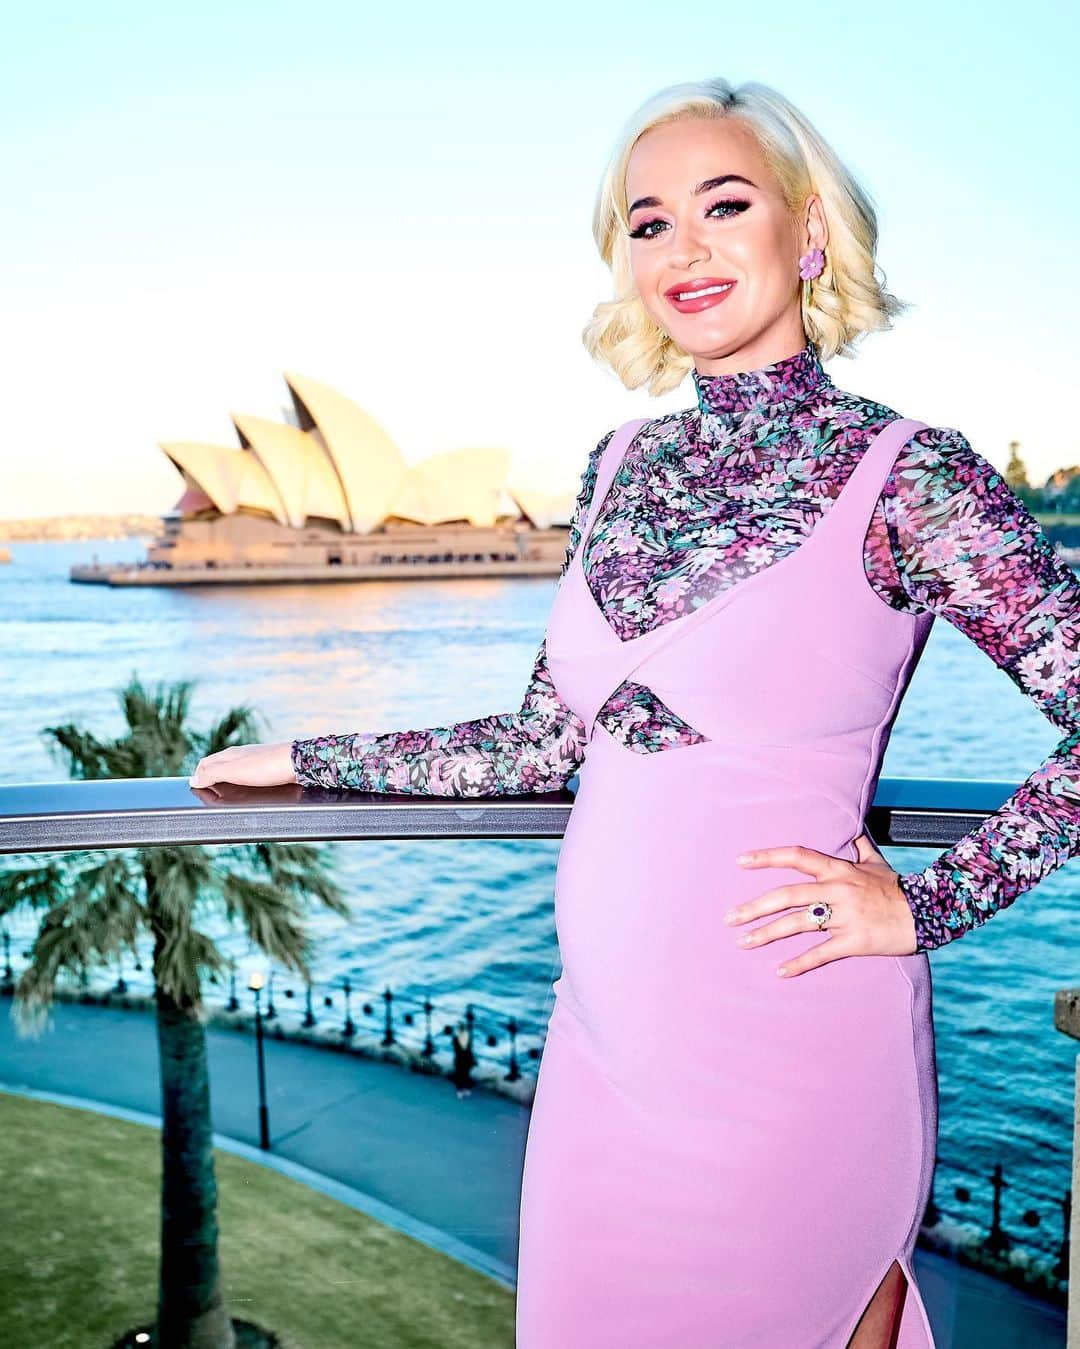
[{"x": 327, "y": 496}]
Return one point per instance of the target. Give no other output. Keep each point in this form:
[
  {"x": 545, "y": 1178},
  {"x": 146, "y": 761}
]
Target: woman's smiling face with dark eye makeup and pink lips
[{"x": 706, "y": 208}]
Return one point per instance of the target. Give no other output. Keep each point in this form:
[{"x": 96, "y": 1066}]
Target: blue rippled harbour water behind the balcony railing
[{"x": 473, "y": 921}]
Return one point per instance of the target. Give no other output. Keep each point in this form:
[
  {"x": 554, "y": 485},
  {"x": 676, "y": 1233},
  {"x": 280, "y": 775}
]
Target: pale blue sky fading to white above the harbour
[{"x": 398, "y": 203}]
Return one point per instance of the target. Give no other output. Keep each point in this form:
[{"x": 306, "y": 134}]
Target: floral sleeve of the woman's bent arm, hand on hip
[{"x": 969, "y": 548}]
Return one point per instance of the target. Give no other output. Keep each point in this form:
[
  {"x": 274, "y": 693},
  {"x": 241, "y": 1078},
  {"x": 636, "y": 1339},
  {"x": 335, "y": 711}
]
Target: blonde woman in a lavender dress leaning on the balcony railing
[{"x": 736, "y": 1118}]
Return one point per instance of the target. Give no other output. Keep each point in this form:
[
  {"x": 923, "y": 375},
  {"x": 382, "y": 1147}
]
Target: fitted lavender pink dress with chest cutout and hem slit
[{"x": 717, "y": 1155}]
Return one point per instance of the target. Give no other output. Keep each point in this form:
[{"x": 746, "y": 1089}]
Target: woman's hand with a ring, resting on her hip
[{"x": 870, "y": 914}]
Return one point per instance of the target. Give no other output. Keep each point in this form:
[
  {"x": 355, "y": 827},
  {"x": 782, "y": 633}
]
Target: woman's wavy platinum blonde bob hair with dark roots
[{"x": 847, "y": 300}]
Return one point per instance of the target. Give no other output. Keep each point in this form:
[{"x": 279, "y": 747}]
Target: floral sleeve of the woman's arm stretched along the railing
[{"x": 535, "y": 749}]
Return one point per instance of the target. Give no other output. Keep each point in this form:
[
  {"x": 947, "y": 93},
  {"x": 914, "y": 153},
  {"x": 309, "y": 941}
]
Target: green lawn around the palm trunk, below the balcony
[{"x": 79, "y": 1236}]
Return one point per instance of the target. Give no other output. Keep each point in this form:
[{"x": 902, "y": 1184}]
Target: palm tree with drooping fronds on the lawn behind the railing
[{"x": 96, "y": 906}]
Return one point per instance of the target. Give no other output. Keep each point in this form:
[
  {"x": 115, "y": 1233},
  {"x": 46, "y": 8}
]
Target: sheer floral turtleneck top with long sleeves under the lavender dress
[{"x": 707, "y": 497}]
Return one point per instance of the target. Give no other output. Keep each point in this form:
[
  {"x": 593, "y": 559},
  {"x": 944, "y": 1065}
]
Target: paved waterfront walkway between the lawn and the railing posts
[{"x": 402, "y": 1146}]
